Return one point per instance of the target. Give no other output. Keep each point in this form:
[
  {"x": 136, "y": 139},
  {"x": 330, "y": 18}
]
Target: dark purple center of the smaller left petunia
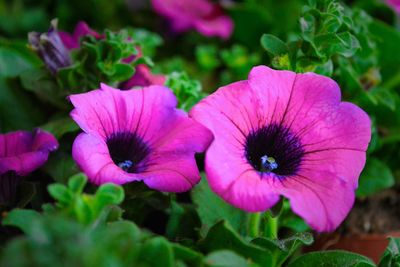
[{"x": 127, "y": 150}]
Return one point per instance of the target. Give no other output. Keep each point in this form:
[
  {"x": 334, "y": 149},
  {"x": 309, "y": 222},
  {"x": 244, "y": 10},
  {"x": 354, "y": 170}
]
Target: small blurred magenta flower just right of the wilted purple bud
[{"x": 71, "y": 41}]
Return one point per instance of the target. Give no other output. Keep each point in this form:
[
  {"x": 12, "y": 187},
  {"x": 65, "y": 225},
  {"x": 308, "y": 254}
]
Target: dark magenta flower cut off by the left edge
[{"x": 21, "y": 153}]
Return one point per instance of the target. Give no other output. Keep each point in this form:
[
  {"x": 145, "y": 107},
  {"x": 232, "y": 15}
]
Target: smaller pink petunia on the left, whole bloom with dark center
[{"x": 137, "y": 135}]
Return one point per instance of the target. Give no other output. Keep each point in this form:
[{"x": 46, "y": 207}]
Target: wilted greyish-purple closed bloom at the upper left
[{"x": 50, "y": 48}]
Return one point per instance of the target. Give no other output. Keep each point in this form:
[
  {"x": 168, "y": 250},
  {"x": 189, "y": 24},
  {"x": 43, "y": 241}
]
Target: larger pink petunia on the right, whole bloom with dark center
[{"x": 282, "y": 133}]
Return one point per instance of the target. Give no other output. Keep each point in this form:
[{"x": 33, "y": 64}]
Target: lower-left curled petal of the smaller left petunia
[{"x": 92, "y": 156}]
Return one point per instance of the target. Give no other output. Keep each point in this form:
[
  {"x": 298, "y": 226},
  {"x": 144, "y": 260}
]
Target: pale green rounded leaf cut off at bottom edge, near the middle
[{"x": 225, "y": 258}]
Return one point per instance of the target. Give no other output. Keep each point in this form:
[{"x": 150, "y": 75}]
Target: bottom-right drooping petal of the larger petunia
[{"x": 322, "y": 198}]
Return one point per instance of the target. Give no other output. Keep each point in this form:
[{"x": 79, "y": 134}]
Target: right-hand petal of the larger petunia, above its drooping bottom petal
[{"x": 338, "y": 144}]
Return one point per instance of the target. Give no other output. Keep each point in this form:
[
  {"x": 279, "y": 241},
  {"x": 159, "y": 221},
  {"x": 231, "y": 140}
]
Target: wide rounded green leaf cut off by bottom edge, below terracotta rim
[{"x": 332, "y": 259}]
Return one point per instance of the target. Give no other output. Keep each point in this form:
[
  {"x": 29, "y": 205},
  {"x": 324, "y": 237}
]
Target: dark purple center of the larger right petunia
[{"x": 274, "y": 148}]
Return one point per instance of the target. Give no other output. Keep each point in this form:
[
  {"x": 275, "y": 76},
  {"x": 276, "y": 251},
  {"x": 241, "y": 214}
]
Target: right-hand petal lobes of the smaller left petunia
[{"x": 171, "y": 167}]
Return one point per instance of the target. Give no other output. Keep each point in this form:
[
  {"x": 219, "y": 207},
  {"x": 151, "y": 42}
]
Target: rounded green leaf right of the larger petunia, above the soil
[{"x": 375, "y": 177}]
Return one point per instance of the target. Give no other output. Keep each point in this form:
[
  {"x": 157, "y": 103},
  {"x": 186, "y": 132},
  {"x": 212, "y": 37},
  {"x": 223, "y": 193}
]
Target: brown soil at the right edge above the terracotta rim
[{"x": 377, "y": 214}]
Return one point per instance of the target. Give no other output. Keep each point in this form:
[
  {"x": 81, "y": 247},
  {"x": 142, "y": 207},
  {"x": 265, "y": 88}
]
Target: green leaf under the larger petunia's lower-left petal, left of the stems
[{"x": 212, "y": 209}]
